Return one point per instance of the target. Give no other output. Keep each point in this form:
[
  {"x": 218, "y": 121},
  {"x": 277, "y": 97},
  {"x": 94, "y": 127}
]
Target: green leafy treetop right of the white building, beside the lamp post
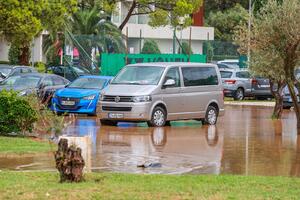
[{"x": 226, "y": 22}]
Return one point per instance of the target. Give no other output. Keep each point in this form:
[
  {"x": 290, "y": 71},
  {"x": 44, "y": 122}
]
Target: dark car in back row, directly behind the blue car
[{"x": 69, "y": 72}]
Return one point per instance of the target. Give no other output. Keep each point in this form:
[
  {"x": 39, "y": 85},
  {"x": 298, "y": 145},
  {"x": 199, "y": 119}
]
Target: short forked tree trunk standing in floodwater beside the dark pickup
[{"x": 277, "y": 112}]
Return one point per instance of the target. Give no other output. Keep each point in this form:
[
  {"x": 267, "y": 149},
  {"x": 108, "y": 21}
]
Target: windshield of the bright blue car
[{"x": 88, "y": 83}]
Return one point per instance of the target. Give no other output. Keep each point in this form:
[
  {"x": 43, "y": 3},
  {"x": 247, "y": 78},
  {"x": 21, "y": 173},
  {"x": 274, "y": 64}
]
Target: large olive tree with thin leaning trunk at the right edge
[{"x": 275, "y": 43}]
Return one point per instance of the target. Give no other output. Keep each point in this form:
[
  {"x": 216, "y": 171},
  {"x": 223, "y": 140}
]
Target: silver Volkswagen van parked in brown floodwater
[{"x": 158, "y": 93}]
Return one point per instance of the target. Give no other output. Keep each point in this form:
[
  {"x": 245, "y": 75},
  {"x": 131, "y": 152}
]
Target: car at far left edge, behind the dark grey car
[{"x": 8, "y": 71}]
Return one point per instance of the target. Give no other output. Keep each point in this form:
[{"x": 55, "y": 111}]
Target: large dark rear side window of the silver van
[{"x": 197, "y": 76}]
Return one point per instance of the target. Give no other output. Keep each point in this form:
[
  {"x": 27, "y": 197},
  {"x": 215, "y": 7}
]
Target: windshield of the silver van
[{"x": 139, "y": 75}]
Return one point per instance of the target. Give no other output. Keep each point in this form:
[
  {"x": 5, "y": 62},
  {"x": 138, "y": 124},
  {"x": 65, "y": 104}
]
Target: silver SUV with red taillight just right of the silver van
[{"x": 236, "y": 83}]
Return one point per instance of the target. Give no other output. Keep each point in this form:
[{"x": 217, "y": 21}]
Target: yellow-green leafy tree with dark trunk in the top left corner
[{"x": 22, "y": 21}]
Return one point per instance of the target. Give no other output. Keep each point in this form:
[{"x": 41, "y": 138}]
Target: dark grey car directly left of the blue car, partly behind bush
[{"x": 44, "y": 85}]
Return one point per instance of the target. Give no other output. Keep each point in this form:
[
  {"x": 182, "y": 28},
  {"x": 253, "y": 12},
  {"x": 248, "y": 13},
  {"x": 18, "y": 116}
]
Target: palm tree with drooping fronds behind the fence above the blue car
[{"x": 89, "y": 29}]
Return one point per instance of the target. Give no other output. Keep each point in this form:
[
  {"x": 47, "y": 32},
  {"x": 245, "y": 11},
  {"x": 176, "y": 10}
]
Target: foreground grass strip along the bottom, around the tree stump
[{"x": 44, "y": 185}]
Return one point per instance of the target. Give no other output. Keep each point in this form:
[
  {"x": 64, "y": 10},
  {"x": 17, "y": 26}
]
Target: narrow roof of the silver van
[{"x": 173, "y": 64}]
